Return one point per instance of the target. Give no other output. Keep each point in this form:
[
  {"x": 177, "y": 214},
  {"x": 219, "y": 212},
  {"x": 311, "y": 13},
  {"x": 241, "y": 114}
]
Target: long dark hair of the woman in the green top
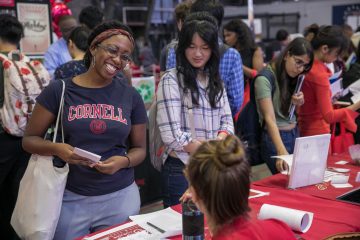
[{"x": 297, "y": 47}]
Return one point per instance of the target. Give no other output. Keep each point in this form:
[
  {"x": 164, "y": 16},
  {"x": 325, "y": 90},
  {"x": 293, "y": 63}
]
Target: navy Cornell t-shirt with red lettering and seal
[{"x": 98, "y": 120}]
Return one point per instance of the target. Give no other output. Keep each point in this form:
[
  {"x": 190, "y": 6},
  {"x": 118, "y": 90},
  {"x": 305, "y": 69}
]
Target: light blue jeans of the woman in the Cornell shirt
[{"x": 81, "y": 215}]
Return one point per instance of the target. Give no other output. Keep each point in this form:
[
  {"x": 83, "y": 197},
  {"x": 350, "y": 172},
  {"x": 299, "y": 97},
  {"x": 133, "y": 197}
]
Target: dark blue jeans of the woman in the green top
[{"x": 268, "y": 148}]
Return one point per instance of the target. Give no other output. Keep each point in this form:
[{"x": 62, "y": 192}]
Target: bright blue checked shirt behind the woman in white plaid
[{"x": 231, "y": 73}]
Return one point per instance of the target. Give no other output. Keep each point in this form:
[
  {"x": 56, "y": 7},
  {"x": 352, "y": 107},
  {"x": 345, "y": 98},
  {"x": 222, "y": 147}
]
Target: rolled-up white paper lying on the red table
[{"x": 296, "y": 219}]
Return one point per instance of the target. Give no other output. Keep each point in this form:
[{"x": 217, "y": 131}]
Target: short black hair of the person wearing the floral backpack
[{"x": 11, "y": 29}]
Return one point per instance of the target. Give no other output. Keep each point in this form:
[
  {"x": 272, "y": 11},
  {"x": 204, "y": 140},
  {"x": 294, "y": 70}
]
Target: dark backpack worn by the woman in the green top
[{"x": 247, "y": 126}]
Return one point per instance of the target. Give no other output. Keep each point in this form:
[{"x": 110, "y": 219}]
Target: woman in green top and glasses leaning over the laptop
[{"x": 280, "y": 131}]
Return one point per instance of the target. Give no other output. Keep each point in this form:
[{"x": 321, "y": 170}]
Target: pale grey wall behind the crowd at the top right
[{"x": 317, "y": 11}]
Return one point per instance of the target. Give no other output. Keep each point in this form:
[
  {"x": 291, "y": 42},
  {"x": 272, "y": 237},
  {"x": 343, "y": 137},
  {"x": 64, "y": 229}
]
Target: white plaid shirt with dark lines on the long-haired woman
[{"x": 174, "y": 120}]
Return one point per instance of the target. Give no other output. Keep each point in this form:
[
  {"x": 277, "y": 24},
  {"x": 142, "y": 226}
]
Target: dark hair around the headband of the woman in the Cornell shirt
[{"x": 99, "y": 29}]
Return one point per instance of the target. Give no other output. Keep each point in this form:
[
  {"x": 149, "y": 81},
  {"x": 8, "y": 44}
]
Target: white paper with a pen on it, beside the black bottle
[{"x": 163, "y": 223}]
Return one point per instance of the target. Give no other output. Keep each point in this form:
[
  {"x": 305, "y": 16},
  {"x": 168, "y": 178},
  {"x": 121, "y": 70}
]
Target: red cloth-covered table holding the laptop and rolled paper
[{"x": 330, "y": 216}]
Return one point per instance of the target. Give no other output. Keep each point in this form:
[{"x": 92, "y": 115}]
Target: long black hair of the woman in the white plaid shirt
[{"x": 207, "y": 30}]
